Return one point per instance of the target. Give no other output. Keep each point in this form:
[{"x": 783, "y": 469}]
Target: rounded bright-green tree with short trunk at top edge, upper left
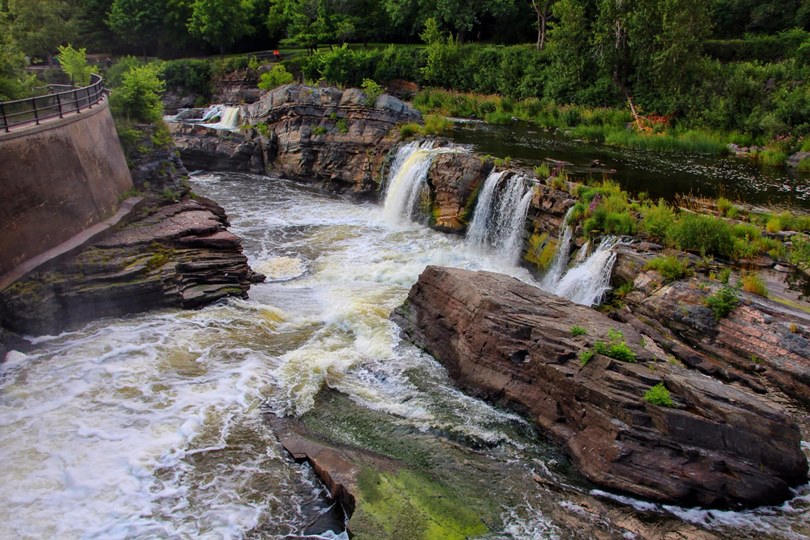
[{"x": 220, "y": 22}]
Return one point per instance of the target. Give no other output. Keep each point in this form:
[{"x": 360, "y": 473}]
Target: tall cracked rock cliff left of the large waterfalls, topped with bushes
[{"x": 327, "y": 136}]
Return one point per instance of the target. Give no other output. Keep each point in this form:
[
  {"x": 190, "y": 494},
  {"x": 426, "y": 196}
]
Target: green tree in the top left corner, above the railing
[{"x": 38, "y": 27}]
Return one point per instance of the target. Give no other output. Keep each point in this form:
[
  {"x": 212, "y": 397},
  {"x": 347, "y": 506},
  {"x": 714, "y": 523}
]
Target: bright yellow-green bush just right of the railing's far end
[{"x": 139, "y": 96}]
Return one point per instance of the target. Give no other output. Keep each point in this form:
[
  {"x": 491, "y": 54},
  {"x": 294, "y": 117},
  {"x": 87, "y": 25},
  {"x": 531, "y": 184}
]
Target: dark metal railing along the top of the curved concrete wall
[{"x": 54, "y": 105}]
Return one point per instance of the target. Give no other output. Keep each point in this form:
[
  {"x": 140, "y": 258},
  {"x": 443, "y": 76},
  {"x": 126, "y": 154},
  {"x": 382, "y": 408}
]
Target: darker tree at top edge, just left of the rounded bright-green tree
[{"x": 137, "y": 22}]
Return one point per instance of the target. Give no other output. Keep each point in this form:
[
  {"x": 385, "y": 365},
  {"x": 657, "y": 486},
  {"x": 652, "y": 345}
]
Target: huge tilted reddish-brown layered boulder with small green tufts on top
[{"x": 512, "y": 343}]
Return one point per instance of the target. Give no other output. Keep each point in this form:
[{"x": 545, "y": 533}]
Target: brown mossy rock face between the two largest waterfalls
[{"x": 454, "y": 180}]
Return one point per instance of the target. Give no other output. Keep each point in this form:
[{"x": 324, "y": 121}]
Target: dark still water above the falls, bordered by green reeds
[{"x": 660, "y": 174}]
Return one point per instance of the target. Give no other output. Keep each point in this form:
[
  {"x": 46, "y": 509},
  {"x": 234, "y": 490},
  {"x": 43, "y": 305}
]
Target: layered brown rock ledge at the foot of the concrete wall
[{"x": 178, "y": 255}]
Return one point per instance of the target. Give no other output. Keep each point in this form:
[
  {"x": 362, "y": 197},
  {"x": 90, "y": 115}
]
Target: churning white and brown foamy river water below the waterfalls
[{"x": 151, "y": 426}]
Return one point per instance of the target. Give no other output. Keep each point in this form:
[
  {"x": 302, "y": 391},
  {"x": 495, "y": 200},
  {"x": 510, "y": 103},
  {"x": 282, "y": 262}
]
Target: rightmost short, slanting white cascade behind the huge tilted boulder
[{"x": 587, "y": 282}]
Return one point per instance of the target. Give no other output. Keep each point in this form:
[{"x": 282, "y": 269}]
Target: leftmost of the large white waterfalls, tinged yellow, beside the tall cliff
[{"x": 408, "y": 178}]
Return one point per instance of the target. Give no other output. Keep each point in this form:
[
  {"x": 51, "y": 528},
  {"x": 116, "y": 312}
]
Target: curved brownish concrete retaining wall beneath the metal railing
[{"x": 56, "y": 180}]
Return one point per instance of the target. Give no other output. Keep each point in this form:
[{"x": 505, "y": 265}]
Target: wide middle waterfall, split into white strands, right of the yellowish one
[{"x": 500, "y": 216}]
